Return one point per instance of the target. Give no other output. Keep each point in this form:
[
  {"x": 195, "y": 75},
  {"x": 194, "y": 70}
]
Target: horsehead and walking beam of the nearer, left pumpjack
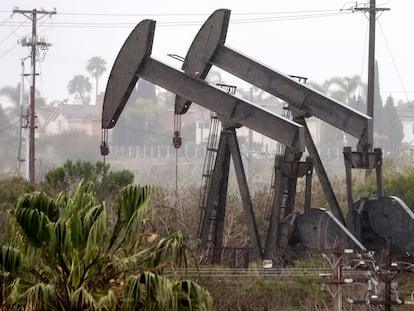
[{"x": 134, "y": 62}]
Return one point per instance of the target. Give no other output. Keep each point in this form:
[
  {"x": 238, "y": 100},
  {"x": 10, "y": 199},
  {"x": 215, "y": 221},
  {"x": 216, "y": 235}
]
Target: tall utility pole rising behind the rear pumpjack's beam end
[{"x": 372, "y": 10}]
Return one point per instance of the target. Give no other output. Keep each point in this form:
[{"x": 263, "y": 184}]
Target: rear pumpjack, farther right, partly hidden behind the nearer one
[{"x": 369, "y": 223}]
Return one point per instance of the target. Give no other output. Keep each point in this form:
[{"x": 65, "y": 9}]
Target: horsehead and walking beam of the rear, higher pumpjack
[{"x": 208, "y": 49}]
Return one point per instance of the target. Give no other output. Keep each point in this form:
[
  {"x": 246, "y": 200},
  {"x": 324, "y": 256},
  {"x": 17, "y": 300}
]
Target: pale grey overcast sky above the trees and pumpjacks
[{"x": 317, "y": 39}]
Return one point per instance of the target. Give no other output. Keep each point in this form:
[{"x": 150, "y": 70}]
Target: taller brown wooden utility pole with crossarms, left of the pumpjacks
[{"x": 34, "y": 43}]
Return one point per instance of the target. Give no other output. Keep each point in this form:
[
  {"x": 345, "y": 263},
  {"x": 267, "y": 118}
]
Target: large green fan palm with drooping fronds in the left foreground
[{"x": 64, "y": 255}]
